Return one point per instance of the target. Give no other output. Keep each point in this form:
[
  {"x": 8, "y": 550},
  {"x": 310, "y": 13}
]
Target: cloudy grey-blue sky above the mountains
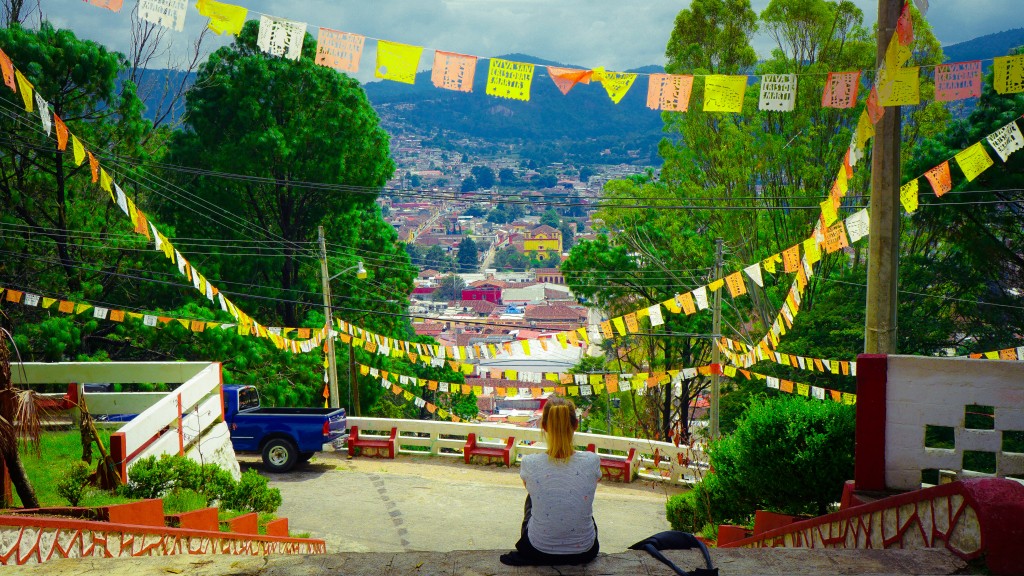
[{"x": 615, "y": 34}]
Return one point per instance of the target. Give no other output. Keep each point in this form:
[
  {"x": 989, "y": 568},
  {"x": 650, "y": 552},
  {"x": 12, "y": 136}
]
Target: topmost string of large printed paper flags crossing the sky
[{"x": 508, "y": 79}]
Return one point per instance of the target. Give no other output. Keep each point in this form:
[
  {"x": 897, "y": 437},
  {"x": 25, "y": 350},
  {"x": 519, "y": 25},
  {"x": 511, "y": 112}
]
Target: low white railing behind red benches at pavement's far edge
[{"x": 448, "y": 439}]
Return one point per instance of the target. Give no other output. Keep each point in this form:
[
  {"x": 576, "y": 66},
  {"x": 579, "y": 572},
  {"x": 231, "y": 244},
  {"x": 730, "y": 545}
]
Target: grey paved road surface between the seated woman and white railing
[{"x": 424, "y": 504}]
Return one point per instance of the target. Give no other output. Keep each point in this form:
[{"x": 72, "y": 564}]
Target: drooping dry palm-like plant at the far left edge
[{"x": 20, "y": 426}]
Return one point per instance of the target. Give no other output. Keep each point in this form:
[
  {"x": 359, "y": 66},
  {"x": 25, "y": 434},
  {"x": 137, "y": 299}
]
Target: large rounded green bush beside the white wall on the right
[{"x": 788, "y": 455}]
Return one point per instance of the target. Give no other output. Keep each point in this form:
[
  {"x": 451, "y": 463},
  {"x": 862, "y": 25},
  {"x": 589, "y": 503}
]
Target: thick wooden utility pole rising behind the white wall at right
[{"x": 883, "y": 246}]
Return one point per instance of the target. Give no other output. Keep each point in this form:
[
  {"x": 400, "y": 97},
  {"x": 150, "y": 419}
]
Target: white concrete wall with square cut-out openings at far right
[{"x": 922, "y": 392}]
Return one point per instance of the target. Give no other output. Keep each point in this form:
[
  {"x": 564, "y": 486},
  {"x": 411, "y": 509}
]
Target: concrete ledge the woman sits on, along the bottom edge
[{"x": 732, "y": 562}]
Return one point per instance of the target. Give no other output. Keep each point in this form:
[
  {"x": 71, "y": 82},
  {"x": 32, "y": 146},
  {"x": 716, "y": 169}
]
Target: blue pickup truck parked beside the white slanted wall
[{"x": 284, "y": 436}]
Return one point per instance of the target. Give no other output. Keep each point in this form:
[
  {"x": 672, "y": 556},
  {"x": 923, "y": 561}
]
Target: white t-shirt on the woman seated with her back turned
[{"x": 563, "y": 493}]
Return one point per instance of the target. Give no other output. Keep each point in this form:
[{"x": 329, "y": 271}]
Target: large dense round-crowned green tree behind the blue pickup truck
[{"x": 282, "y": 124}]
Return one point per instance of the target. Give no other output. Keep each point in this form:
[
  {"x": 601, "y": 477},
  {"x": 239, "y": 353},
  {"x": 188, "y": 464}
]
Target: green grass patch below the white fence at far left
[{"x": 58, "y": 451}]
